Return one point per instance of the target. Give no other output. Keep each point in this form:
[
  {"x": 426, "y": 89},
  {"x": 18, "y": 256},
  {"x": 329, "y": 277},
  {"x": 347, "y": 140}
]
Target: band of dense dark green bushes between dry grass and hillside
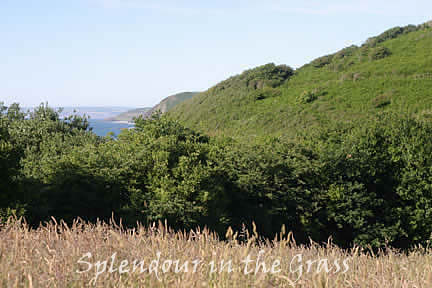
[{"x": 365, "y": 184}]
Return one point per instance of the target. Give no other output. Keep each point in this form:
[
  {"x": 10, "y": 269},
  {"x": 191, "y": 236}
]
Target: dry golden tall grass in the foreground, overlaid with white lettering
[{"x": 57, "y": 255}]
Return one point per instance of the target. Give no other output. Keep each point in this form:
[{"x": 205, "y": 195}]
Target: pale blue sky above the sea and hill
[{"x": 136, "y": 52}]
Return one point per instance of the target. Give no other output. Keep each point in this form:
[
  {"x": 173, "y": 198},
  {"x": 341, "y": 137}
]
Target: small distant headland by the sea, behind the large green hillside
[{"x": 164, "y": 106}]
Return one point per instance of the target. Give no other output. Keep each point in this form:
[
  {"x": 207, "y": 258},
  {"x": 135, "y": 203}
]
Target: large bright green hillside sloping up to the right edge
[{"x": 392, "y": 71}]
